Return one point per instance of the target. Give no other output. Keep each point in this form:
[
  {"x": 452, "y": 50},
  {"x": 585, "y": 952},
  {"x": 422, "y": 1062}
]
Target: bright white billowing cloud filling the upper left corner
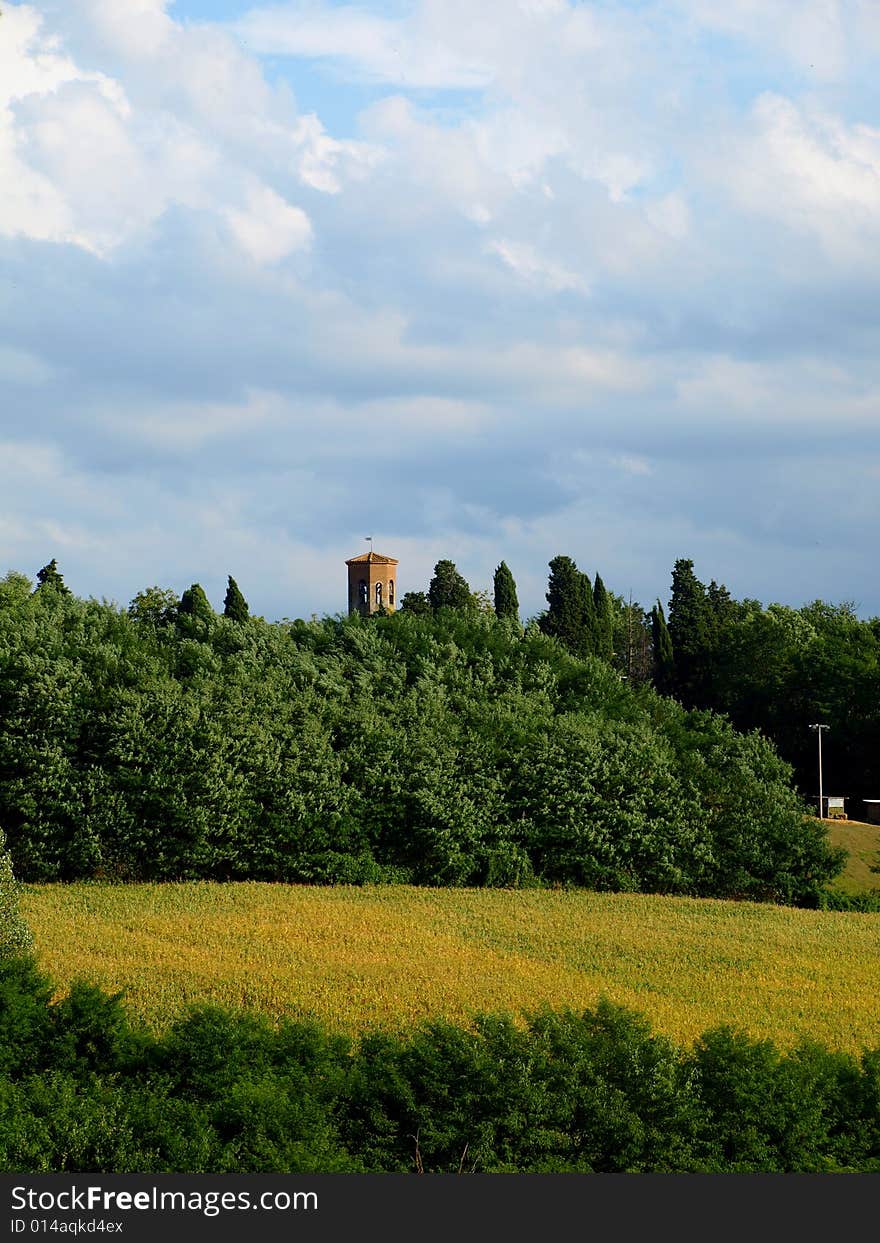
[{"x": 89, "y": 161}]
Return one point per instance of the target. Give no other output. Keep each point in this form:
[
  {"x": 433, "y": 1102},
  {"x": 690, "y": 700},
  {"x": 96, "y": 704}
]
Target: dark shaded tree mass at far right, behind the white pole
[{"x": 780, "y": 671}]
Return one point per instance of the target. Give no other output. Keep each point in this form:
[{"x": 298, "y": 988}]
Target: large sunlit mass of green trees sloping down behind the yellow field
[{"x": 456, "y": 749}]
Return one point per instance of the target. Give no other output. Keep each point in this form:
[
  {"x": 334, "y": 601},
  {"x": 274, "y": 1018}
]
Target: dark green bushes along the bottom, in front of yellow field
[{"x": 595, "y": 1092}]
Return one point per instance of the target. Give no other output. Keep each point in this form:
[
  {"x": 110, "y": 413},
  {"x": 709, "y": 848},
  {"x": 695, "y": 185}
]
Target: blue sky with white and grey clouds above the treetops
[{"x": 482, "y": 282}]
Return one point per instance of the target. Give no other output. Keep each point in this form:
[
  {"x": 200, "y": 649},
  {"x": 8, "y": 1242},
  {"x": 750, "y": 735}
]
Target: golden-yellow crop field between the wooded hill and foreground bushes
[{"x": 391, "y": 956}]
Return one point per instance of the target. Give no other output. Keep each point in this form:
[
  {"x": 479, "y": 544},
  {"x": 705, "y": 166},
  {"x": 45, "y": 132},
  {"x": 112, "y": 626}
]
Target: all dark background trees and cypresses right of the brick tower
[{"x": 776, "y": 669}]
